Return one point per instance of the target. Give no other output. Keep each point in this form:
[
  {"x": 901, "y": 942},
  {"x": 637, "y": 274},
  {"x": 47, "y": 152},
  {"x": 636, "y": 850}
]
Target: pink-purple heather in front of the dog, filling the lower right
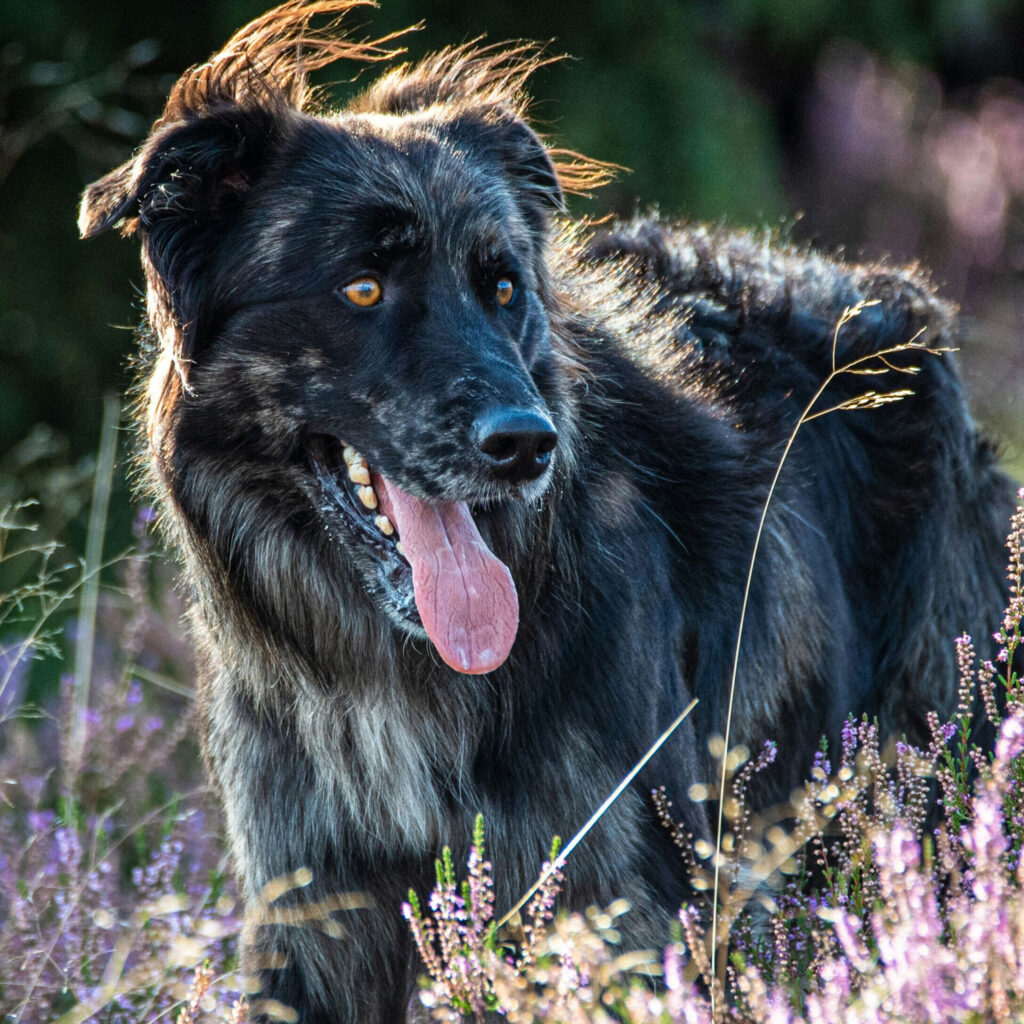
[{"x": 850, "y": 915}]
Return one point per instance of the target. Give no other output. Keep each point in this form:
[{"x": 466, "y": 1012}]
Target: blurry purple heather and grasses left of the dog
[{"x": 113, "y": 886}]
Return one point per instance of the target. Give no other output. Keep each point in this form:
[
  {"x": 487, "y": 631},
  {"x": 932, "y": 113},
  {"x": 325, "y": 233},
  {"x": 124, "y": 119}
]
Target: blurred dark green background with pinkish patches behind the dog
[{"x": 886, "y": 129}]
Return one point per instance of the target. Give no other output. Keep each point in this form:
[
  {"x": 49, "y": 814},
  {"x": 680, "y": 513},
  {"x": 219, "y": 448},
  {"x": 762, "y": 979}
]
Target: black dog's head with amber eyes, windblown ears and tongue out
[{"x": 360, "y": 302}]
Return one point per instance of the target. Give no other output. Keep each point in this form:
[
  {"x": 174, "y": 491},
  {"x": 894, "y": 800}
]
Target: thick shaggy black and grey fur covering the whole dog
[{"x": 672, "y": 362}]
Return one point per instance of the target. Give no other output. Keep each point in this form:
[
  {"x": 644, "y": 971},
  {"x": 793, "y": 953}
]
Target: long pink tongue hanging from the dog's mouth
[{"x": 465, "y": 596}]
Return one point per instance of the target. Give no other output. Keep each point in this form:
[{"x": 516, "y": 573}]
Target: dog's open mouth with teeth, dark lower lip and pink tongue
[{"x": 436, "y": 570}]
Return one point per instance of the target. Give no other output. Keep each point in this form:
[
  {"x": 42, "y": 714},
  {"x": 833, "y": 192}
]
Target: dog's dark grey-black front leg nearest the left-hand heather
[{"x": 325, "y": 942}]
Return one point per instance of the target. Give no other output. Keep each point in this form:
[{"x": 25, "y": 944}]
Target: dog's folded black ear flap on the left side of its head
[{"x": 194, "y": 170}]
